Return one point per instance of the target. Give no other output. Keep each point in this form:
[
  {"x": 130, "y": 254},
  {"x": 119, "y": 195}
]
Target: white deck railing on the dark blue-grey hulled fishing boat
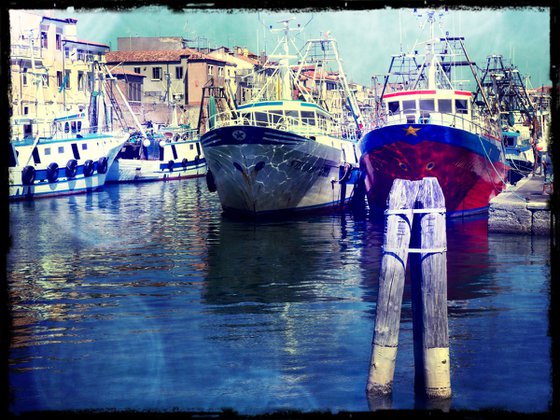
[{"x": 301, "y": 126}]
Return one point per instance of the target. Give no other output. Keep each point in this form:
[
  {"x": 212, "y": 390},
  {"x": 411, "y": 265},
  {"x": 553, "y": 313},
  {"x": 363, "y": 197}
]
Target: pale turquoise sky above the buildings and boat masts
[{"x": 366, "y": 38}]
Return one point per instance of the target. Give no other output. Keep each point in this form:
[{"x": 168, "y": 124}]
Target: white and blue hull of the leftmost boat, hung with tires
[{"x": 64, "y": 185}]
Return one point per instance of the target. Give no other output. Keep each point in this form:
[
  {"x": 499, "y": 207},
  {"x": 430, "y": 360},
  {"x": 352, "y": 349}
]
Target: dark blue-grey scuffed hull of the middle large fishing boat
[{"x": 260, "y": 171}]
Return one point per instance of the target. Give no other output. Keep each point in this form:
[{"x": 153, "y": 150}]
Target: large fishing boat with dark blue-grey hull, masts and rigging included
[{"x": 284, "y": 150}]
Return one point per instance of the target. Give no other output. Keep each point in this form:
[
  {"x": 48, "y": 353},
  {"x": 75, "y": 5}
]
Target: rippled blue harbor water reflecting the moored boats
[{"x": 145, "y": 297}]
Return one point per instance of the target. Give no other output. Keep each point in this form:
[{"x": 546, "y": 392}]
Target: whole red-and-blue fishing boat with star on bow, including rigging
[{"x": 430, "y": 127}]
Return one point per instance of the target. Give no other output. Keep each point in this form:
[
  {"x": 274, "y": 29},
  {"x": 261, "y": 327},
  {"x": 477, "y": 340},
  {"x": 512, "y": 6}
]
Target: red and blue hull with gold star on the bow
[{"x": 470, "y": 168}]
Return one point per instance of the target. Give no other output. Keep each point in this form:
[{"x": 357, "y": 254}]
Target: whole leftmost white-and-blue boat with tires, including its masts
[{"x": 65, "y": 154}]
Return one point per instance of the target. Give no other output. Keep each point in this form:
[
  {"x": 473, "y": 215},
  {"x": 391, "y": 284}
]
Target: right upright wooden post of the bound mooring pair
[{"x": 429, "y": 289}]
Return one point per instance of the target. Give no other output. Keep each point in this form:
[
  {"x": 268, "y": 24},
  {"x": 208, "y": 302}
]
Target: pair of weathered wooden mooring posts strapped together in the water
[{"x": 415, "y": 216}]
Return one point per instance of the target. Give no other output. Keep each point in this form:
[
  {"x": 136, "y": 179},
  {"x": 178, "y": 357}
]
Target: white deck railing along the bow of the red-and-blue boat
[{"x": 480, "y": 125}]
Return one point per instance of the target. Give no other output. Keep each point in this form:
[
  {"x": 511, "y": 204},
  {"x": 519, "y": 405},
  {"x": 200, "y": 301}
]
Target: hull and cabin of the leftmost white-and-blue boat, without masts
[{"x": 69, "y": 160}]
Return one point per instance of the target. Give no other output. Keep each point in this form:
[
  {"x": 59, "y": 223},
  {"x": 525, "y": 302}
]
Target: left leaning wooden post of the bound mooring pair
[{"x": 398, "y": 223}]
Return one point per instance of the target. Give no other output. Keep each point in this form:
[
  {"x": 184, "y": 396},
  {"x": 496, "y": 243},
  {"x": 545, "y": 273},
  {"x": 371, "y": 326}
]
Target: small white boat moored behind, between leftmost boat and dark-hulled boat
[{"x": 160, "y": 153}]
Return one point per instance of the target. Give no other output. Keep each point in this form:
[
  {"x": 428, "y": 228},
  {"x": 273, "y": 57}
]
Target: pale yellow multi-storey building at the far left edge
[{"x": 47, "y": 49}]
